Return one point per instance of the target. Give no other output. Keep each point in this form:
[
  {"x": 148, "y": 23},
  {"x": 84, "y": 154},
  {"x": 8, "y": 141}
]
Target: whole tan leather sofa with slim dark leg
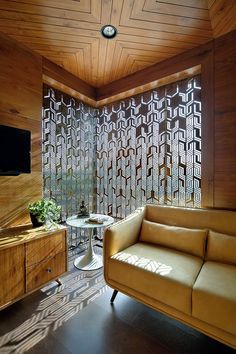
[{"x": 179, "y": 261}]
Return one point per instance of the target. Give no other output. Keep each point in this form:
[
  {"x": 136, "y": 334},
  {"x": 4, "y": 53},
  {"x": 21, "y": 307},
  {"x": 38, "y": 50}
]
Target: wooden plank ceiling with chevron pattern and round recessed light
[{"x": 67, "y": 32}]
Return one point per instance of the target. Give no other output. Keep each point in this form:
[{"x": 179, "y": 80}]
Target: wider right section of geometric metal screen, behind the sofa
[{"x": 149, "y": 150}]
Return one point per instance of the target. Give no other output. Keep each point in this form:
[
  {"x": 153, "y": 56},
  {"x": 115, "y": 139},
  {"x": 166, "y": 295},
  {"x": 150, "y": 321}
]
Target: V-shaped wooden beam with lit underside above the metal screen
[{"x": 173, "y": 69}]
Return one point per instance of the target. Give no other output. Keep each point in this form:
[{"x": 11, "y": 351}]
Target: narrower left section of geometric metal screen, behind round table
[{"x": 69, "y": 152}]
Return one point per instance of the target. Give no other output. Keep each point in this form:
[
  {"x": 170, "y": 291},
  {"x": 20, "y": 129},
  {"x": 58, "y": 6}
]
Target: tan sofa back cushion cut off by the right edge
[{"x": 221, "y": 248}]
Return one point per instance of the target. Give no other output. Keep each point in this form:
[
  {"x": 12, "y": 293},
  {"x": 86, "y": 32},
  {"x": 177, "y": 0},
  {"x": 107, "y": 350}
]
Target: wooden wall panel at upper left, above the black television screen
[{"x": 20, "y": 76}]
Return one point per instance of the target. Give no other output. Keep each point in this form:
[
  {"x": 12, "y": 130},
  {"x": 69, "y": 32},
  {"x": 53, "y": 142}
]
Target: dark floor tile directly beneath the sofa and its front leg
[{"x": 177, "y": 337}]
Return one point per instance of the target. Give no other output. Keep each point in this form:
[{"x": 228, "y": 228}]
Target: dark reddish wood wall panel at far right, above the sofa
[{"x": 225, "y": 121}]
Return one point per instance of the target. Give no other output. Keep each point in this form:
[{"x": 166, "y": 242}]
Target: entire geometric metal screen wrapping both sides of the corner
[{"x": 144, "y": 149}]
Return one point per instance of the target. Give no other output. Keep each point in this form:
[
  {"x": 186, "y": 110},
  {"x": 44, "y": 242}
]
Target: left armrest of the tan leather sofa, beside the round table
[{"x": 121, "y": 235}]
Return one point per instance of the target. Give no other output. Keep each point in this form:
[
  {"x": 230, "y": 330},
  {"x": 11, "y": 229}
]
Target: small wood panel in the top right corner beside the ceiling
[{"x": 222, "y": 15}]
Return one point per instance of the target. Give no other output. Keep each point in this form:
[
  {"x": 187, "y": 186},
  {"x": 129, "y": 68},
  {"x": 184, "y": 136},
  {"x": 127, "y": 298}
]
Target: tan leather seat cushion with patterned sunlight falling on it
[{"x": 163, "y": 274}]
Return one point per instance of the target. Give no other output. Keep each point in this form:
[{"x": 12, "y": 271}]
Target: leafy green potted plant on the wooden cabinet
[{"x": 44, "y": 210}]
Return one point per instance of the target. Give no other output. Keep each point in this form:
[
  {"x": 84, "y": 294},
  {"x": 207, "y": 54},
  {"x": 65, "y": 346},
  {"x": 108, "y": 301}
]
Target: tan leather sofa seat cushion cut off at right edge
[{"x": 214, "y": 296}]
